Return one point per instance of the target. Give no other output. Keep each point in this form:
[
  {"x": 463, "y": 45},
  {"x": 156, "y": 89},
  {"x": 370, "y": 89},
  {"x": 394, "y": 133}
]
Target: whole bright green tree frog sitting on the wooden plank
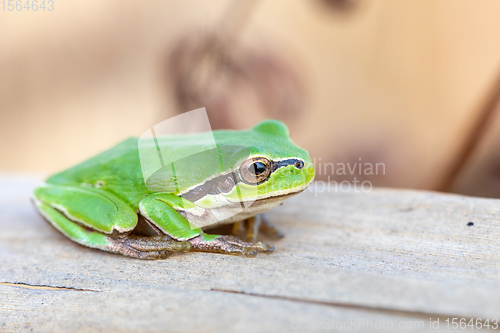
[{"x": 101, "y": 202}]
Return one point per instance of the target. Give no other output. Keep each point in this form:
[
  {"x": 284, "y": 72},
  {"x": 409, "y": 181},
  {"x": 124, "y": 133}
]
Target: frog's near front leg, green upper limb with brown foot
[{"x": 161, "y": 209}]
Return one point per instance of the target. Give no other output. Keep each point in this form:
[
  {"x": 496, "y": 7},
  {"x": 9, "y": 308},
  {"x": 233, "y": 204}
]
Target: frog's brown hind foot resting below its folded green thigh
[{"x": 153, "y": 247}]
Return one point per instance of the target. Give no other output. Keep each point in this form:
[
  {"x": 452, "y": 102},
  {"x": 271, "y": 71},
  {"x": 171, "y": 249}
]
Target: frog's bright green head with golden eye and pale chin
[{"x": 274, "y": 167}]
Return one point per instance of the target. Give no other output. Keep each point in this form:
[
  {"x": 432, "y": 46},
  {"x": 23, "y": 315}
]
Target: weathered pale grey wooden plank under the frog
[{"x": 385, "y": 259}]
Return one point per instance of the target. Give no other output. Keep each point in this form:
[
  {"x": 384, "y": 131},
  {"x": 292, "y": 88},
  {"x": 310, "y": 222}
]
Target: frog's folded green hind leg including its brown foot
[{"x": 97, "y": 219}]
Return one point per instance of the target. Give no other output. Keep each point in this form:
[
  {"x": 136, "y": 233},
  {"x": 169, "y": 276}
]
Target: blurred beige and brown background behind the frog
[{"x": 411, "y": 84}]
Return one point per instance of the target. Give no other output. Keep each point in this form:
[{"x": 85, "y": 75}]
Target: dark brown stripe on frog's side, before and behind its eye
[{"x": 225, "y": 183}]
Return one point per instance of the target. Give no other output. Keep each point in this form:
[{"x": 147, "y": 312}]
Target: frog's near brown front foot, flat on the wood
[{"x": 228, "y": 244}]
